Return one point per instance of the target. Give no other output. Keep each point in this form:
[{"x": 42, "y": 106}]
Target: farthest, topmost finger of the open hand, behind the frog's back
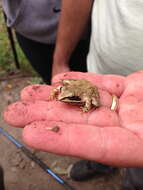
[{"x": 111, "y": 83}]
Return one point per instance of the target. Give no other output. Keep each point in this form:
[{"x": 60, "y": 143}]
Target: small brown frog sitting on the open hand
[{"x": 78, "y": 92}]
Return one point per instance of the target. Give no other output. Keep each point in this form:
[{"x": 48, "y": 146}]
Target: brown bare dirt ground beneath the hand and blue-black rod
[{"x": 22, "y": 174}]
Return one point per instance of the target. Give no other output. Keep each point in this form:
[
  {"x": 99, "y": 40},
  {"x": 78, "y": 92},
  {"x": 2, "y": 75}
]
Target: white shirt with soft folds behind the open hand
[{"x": 117, "y": 37}]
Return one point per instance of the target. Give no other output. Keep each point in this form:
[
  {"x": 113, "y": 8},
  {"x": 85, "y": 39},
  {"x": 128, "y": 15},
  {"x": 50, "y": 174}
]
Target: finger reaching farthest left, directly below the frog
[{"x": 21, "y": 113}]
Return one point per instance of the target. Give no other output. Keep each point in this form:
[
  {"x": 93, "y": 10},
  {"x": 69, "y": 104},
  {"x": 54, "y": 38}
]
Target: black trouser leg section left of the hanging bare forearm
[{"x": 39, "y": 55}]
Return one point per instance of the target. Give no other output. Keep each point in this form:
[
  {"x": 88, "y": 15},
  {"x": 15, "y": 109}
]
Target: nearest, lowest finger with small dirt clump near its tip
[{"x": 113, "y": 145}]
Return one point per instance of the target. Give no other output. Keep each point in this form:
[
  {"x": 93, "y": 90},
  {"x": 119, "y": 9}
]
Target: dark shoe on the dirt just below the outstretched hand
[{"x": 84, "y": 170}]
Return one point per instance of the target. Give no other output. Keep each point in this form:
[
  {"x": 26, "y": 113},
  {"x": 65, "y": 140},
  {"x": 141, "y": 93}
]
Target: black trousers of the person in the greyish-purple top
[{"x": 40, "y": 56}]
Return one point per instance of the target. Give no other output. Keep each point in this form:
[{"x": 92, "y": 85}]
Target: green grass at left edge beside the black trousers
[{"x": 6, "y": 56}]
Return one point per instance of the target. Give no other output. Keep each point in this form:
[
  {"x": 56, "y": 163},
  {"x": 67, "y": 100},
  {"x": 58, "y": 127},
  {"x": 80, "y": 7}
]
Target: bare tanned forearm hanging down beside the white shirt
[{"x": 74, "y": 18}]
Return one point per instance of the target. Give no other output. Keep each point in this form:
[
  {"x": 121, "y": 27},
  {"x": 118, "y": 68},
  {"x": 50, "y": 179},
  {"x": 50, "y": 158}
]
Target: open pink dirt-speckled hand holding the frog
[{"x": 103, "y": 135}]
